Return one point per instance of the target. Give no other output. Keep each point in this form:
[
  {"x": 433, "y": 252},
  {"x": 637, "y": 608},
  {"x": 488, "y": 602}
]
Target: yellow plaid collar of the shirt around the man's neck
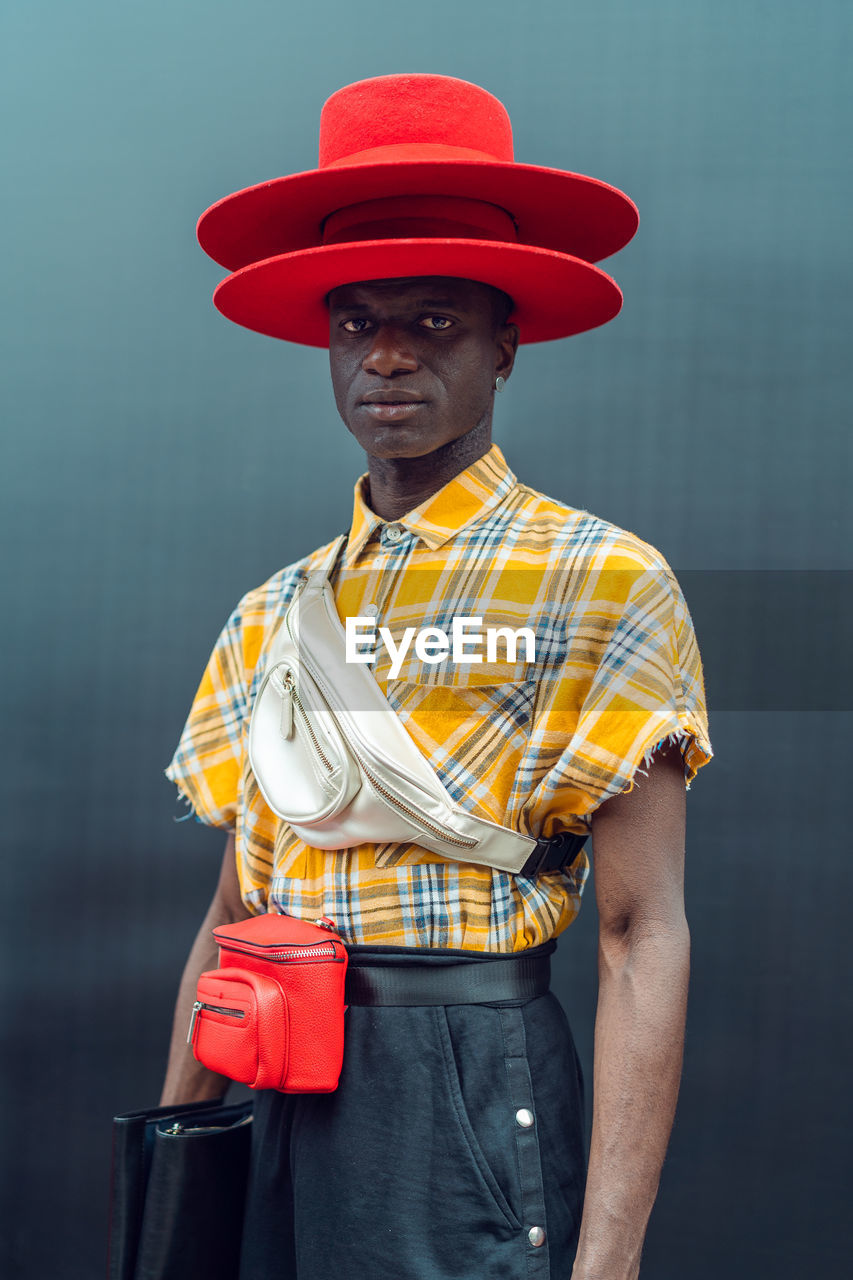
[{"x": 467, "y": 499}]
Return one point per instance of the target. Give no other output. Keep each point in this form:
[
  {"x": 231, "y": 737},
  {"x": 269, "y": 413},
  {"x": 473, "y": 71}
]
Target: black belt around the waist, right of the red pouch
[{"x": 427, "y": 977}]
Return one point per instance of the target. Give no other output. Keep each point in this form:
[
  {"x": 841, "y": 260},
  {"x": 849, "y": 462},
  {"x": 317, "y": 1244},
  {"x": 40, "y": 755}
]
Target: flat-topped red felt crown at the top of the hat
[{"x": 413, "y": 111}]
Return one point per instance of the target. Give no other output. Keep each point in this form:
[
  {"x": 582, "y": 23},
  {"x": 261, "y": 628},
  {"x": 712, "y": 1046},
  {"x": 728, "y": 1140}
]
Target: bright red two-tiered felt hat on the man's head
[{"x": 416, "y": 179}]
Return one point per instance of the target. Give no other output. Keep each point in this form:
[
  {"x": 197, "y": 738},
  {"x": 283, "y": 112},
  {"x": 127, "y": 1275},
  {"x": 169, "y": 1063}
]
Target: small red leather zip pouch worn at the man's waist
[{"x": 272, "y": 1014}]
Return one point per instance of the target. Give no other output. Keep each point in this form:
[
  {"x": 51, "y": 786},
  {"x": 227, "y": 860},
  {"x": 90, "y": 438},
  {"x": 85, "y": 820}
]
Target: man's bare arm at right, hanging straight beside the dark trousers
[{"x": 644, "y": 972}]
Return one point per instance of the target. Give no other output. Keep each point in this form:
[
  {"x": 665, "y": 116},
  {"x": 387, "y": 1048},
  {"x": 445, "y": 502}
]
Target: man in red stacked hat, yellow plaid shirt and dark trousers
[{"x": 454, "y": 1145}]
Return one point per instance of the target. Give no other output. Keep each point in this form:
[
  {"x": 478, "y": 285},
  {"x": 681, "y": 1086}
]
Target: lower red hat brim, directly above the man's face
[{"x": 555, "y": 295}]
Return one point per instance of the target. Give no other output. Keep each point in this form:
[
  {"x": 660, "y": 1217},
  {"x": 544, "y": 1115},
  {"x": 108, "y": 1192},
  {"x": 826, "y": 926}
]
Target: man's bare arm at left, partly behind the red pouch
[{"x": 188, "y": 1081}]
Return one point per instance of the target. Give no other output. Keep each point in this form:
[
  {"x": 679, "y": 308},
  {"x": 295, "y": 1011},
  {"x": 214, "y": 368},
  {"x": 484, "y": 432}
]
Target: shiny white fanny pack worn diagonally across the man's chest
[{"x": 335, "y": 762}]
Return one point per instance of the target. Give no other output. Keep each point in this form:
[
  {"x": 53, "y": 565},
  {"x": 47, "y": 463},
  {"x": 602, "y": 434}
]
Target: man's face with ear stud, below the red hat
[{"x": 414, "y": 362}]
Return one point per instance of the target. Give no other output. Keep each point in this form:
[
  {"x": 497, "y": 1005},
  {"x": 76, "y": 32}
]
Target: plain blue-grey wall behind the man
[{"x": 159, "y": 461}]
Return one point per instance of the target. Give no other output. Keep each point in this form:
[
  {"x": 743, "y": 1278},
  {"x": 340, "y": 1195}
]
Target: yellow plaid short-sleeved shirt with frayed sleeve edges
[{"x": 536, "y": 746}]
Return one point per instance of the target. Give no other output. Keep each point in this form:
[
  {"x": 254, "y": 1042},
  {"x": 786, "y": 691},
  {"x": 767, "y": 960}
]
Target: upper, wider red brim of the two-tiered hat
[{"x": 554, "y": 209}]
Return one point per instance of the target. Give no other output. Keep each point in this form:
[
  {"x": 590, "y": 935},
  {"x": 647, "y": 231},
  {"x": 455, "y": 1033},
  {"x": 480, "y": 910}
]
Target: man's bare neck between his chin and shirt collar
[{"x": 398, "y": 486}]
